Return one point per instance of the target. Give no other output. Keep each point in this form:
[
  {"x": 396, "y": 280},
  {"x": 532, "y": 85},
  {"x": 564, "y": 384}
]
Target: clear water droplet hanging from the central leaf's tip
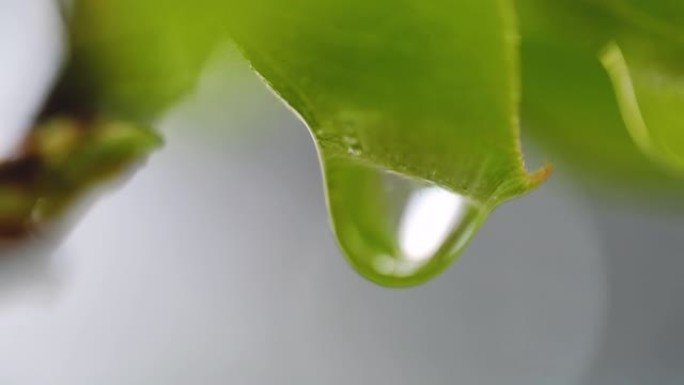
[{"x": 396, "y": 230}]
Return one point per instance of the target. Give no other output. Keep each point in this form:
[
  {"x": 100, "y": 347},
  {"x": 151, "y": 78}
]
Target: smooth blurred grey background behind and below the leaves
[{"x": 215, "y": 265}]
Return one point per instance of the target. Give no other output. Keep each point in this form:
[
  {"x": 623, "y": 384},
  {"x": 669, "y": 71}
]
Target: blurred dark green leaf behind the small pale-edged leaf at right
[{"x": 570, "y": 106}]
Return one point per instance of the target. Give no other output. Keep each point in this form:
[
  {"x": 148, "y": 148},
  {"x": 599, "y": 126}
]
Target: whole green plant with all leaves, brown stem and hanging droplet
[{"x": 408, "y": 101}]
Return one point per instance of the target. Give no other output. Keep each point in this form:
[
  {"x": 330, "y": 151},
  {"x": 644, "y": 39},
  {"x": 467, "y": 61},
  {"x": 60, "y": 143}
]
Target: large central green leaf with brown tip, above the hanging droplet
[{"x": 427, "y": 89}]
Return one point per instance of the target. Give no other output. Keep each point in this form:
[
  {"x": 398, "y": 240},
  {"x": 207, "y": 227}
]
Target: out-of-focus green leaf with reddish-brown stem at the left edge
[{"x": 127, "y": 61}]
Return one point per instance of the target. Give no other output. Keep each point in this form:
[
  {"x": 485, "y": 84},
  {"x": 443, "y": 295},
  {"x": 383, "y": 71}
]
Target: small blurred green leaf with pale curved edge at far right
[{"x": 648, "y": 78}]
